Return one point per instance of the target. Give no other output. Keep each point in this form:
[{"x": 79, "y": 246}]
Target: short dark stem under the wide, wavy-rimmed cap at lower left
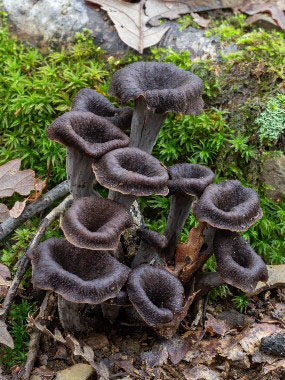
[{"x": 70, "y": 315}]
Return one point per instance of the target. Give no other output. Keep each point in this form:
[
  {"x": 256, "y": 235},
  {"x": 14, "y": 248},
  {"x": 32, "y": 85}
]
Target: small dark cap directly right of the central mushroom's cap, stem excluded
[{"x": 189, "y": 179}]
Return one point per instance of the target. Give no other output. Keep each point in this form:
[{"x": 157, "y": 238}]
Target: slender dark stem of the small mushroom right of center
[{"x": 180, "y": 206}]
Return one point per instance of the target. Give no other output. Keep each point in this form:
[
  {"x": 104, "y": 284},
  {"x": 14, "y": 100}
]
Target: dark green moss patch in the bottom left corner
[{"x": 17, "y": 321}]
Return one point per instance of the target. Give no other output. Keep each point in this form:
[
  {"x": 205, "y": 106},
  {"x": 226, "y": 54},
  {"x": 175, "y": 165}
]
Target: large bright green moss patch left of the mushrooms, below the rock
[{"x": 34, "y": 90}]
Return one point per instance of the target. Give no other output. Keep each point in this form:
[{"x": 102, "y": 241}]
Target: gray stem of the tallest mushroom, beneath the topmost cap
[{"x": 146, "y": 124}]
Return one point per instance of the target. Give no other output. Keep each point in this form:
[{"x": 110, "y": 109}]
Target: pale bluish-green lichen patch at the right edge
[{"x": 271, "y": 121}]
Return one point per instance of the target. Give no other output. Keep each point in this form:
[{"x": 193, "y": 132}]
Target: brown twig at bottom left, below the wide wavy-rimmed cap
[{"x": 44, "y": 314}]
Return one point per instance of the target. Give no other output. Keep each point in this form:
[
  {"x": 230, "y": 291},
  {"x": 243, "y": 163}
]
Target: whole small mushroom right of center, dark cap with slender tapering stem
[{"x": 186, "y": 181}]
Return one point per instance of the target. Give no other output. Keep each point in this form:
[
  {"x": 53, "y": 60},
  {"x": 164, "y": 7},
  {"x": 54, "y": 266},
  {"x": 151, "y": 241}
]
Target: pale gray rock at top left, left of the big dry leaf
[{"x": 48, "y": 24}]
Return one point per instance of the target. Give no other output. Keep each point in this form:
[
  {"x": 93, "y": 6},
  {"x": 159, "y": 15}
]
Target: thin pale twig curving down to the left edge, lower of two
[{"x": 24, "y": 263}]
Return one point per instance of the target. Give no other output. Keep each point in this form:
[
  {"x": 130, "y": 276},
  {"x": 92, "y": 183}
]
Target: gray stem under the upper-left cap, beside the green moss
[{"x": 80, "y": 175}]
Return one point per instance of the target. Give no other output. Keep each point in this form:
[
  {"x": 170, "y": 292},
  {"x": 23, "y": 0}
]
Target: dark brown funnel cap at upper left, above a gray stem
[{"x": 90, "y": 134}]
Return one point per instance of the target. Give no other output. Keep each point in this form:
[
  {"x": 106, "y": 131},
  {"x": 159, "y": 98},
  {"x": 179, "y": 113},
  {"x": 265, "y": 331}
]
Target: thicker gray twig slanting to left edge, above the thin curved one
[{"x": 41, "y": 204}]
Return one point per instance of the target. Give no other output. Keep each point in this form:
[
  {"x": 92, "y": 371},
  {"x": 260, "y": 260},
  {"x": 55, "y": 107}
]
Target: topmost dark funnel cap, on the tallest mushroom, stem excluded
[{"x": 164, "y": 87}]
